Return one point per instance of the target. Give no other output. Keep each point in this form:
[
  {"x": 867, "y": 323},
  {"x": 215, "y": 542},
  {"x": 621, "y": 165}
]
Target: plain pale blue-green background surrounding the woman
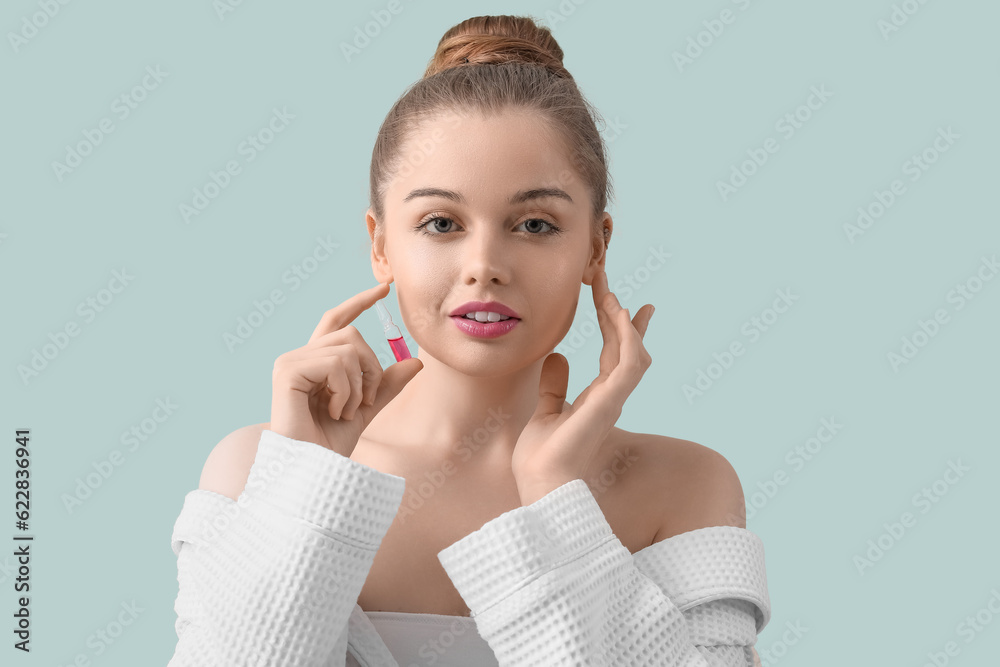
[{"x": 682, "y": 130}]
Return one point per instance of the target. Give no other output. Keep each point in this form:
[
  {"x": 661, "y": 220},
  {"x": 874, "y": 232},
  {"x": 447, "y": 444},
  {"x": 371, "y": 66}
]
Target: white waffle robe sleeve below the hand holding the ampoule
[{"x": 271, "y": 579}]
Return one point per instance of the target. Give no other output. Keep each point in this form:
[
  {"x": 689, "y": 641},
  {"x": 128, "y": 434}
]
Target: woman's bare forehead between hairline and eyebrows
[{"x": 485, "y": 158}]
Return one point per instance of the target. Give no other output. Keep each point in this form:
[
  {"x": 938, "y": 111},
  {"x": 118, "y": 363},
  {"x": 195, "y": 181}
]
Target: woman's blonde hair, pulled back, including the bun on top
[{"x": 487, "y": 64}]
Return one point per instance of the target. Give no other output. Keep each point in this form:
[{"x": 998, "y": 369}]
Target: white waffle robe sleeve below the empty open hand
[{"x": 549, "y": 583}]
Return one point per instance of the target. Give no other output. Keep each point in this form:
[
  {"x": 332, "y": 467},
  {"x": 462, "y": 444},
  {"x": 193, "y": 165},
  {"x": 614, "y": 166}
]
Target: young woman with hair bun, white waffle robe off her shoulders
[{"x": 455, "y": 508}]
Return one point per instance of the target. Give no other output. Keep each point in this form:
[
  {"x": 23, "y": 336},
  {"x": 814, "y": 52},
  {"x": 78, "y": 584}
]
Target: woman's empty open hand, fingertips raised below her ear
[{"x": 557, "y": 445}]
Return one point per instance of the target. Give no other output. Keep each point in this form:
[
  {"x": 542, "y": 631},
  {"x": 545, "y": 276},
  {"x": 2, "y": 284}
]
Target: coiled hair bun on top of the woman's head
[{"x": 491, "y": 40}]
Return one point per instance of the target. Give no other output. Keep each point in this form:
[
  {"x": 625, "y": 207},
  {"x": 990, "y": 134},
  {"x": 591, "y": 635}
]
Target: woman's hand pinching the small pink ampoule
[{"x": 330, "y": 389}]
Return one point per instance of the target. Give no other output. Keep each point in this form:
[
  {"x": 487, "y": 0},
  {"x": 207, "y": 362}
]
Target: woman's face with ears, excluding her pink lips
[{"x": 487, "y": 210}]
